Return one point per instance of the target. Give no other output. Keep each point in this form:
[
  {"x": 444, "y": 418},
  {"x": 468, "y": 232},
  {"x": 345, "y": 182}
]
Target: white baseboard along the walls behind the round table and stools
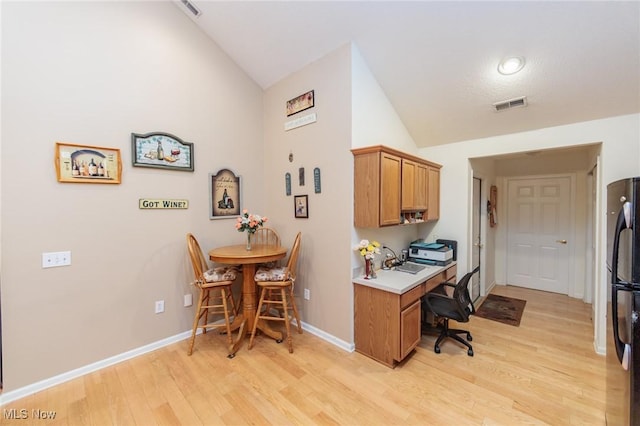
[{"x": 14, "y": 395}]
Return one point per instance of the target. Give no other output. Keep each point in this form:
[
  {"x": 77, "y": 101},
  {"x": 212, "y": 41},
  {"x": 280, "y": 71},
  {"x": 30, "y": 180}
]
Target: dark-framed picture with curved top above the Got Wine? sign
[{"x": 162, "y": 151}]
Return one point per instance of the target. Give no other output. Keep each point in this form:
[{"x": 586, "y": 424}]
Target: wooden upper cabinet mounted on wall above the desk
[{"x": 391, "y": 187}]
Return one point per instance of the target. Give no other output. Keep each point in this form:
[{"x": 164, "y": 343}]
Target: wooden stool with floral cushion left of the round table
[{"x": 216, "y": 297}]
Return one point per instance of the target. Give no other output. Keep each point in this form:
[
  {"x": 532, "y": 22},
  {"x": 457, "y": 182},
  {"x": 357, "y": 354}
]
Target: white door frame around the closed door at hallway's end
[{"x": 572, "y": 288}]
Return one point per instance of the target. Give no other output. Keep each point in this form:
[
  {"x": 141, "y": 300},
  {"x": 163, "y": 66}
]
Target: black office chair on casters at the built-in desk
[{"x": 457, "y": 307}]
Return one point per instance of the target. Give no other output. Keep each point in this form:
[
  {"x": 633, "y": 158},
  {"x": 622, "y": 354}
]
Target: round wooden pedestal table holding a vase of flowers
[{"x": 239, "y": 255}]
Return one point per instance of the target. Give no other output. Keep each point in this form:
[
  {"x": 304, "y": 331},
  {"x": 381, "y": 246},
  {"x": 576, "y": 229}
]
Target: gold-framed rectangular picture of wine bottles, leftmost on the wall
[{"x": 87, "y": 164}]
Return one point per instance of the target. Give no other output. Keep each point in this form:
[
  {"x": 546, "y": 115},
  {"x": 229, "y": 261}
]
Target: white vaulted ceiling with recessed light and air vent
[{"x": 437, "y": 61}]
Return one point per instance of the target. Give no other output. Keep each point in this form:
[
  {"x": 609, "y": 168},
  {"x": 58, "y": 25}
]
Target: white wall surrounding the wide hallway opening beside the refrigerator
[{"x": 619, "y": 136}]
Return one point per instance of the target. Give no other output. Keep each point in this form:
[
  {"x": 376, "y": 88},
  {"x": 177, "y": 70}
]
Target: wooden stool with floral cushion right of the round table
[{"x": 277, "y": 295}]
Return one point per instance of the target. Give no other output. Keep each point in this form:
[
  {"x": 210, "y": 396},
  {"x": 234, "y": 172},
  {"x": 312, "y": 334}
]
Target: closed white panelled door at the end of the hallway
[{"x": 538, "y": 213}]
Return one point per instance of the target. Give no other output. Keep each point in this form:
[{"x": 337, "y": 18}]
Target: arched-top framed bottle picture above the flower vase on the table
[{"x": 225, "y": 192}]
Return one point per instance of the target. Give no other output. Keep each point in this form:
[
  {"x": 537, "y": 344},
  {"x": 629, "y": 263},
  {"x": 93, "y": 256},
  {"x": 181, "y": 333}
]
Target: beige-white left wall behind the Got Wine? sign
[{"x": 92, "y": 73}]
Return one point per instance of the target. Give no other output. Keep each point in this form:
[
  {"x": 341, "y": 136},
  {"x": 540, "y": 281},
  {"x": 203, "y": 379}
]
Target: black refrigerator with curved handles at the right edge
[{"x": 623, "y": 339}]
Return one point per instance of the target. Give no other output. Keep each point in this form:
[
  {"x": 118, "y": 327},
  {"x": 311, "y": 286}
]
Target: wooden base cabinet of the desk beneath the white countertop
[{"x": 387, "y": 326}]
